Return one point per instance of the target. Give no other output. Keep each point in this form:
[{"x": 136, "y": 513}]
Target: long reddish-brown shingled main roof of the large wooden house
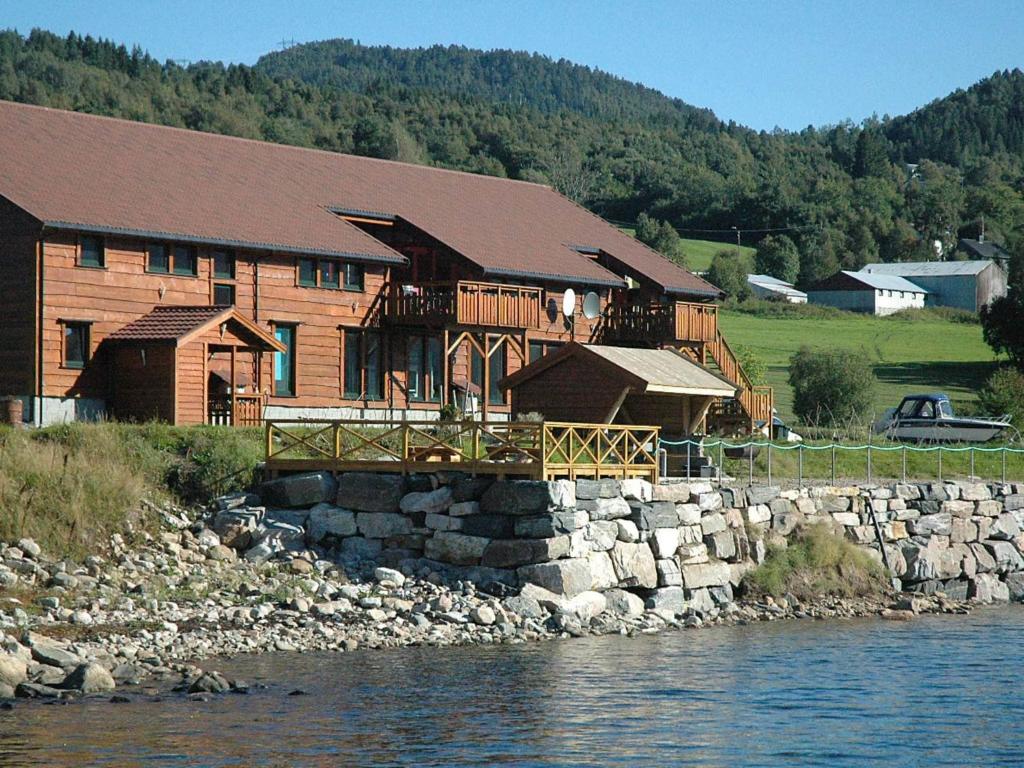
[{"x": 81, "y": 172}]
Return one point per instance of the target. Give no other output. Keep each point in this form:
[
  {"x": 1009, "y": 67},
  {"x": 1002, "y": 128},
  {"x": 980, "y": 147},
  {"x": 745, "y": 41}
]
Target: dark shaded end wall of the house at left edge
[{"x": 19, "y": 292}]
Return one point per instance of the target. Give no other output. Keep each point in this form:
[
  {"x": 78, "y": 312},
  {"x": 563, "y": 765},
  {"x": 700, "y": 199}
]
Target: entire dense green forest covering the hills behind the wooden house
[{"x": 838, "y": 196}]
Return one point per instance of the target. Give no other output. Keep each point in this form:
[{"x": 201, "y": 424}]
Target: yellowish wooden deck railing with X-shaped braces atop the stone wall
[{"x": 535, "y": 450}]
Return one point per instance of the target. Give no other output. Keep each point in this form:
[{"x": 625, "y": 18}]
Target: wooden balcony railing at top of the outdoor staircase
[{"x": 679, "y": 321}]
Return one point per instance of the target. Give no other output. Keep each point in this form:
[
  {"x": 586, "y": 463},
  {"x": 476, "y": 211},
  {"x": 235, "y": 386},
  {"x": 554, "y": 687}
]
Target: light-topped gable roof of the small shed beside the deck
[{"x": 653, "y": 371}]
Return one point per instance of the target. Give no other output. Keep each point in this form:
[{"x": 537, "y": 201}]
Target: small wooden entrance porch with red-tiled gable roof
[{"x": 165, "y": 361}]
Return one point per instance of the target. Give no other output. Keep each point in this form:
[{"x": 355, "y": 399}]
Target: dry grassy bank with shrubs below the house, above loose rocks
[{"x": 71, "y": 487}]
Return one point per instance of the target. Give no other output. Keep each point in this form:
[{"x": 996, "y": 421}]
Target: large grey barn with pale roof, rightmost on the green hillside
[{"x": 965, "y": 285}]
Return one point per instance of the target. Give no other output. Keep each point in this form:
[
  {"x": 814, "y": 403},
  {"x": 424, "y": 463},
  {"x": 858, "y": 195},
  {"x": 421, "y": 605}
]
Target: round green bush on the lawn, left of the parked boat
[{"x": 831, "y": 389}]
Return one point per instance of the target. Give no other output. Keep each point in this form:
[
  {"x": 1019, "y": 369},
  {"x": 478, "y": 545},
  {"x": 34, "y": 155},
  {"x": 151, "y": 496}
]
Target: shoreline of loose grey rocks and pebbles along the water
[{"x": 143, "y": 618}]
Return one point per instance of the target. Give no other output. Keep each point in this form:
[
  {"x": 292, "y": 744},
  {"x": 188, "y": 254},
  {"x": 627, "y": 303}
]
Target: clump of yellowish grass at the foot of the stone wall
[{"x": 818, "y": 564}]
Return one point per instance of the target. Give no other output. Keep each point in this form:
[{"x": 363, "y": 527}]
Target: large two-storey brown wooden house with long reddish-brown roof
[{"x": 357, "y": 288}]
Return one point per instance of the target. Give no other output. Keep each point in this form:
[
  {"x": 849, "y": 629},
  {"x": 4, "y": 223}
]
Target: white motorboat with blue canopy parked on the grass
[{"x": 930, "y": 418}]
